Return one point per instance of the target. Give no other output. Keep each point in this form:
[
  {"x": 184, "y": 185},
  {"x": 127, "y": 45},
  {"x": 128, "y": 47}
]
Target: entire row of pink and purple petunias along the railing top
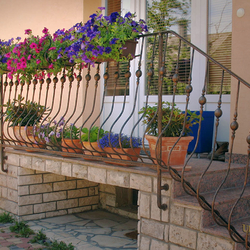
[{"x": 100, "y": 37}]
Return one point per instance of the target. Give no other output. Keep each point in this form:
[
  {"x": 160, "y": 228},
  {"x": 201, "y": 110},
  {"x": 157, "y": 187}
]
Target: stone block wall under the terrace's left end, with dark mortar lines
[{"x": 34, "y": 194}]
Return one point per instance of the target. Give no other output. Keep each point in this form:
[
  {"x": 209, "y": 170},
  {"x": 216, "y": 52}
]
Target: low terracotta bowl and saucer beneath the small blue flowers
[{"x": 132, "y": 154}]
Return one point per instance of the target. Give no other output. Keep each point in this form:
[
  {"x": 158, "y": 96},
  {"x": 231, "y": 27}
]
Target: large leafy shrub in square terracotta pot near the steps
[{"x": 172, "y": 131}]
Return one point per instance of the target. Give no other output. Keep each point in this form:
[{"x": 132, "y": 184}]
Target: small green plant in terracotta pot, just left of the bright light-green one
[{"x": 70, "y": 139}]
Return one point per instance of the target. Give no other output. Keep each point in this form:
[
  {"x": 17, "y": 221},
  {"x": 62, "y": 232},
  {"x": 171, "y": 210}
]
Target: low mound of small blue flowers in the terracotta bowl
[{"x": 119, "y": 141}]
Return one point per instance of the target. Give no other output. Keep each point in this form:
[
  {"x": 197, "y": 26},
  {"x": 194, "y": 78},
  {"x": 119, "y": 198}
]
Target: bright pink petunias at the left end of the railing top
[{"x": 35, "y": 55}]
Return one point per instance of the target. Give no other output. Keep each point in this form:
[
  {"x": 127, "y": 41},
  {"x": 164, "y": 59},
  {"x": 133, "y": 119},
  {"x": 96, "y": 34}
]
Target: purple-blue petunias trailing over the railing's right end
[{"x": 104, "y": 37}]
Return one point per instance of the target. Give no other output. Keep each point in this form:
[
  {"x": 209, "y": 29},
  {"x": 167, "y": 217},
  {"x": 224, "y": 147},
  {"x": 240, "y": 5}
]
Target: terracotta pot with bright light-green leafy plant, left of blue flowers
[{"x": 89, "y": 140}]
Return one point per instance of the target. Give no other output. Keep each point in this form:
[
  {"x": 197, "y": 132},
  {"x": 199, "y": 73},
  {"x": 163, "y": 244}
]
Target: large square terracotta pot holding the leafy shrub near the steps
[{"x": 178, "y": 155}]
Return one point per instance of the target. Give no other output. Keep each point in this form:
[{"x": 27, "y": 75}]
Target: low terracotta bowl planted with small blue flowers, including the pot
[{"x": 120, "y": 146}]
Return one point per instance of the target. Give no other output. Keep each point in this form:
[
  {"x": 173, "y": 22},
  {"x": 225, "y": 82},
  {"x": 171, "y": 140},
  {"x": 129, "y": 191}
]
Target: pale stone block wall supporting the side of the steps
[{"x": 177, "y": 228}]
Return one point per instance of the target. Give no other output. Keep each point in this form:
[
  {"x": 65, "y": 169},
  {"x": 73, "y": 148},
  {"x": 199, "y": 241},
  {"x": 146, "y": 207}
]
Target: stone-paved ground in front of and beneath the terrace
[{"x": 93, "y": 230}]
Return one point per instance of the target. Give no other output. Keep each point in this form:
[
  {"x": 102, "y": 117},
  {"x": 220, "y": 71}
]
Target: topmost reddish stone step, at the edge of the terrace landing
[{"x": 213, "y": 178}]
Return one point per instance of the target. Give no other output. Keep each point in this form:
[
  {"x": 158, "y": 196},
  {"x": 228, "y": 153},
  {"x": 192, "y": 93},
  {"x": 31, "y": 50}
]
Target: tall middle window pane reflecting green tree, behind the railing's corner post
[{"x": 163, "y": 15}]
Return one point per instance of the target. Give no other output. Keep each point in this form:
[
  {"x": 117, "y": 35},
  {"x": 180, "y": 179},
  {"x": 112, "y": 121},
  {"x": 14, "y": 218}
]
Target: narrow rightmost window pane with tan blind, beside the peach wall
[{"x": 219, "y": 43}]
